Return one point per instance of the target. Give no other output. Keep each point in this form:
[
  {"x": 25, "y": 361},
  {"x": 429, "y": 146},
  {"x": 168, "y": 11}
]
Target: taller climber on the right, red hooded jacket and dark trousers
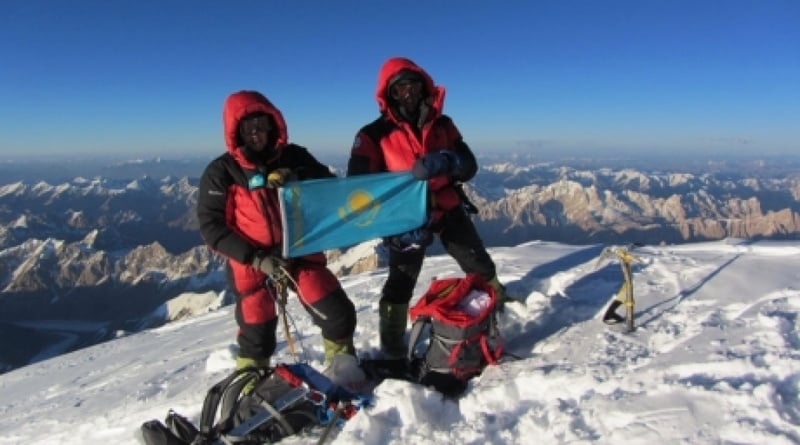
[{"x": 412, "y": 133}]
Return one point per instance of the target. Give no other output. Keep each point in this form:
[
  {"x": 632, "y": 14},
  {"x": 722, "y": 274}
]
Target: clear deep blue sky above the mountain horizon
[{"x": 148, "y": 78}]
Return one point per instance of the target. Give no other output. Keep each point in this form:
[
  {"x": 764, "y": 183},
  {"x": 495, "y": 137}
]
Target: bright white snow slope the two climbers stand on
[{"x": 715, "y": 359}]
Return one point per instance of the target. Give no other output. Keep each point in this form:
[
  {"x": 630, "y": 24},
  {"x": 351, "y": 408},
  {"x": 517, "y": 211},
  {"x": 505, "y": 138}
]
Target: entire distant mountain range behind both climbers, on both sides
[{"x": 85, "y": 259}]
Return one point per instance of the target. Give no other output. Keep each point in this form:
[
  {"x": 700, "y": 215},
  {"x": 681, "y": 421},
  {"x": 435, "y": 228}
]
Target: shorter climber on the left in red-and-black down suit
[{"x": 239, "y": 217}]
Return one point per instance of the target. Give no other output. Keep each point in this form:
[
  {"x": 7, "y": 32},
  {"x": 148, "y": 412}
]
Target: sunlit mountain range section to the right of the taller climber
[{"x": 571, "y": 205}]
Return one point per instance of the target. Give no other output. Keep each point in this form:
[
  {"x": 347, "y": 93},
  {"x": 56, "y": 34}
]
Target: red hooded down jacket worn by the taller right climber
[{"x": 391, "y": 144}]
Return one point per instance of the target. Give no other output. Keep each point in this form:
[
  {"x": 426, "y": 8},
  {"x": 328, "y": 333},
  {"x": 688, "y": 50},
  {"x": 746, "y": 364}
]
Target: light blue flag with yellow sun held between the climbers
[{"x": 331, "y": 213}]
